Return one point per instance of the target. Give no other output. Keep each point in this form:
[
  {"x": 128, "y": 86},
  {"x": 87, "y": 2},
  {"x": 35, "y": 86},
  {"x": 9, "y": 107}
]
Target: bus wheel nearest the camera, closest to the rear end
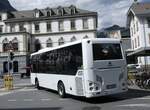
[{"x": 61, "y": 90}]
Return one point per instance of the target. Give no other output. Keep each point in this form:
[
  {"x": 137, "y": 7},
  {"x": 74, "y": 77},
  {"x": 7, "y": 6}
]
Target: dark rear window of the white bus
[{"x": 106, "y": 51}]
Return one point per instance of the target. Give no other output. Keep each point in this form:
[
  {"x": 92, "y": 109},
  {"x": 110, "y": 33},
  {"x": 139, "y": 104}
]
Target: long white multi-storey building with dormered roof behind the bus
[{"x": 26, "y": 32}]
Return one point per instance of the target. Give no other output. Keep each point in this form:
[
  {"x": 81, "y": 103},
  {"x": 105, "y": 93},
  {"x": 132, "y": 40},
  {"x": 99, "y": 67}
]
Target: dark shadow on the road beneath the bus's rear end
[{"x": 131, "y": 94}]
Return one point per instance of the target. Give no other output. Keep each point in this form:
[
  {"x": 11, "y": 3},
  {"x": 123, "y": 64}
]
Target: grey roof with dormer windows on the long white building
[{"x": 30, "y": 14}]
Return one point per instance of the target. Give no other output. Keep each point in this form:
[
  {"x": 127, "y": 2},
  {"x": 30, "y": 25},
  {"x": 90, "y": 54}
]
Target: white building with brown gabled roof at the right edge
[{"x": 138, "y": 20}]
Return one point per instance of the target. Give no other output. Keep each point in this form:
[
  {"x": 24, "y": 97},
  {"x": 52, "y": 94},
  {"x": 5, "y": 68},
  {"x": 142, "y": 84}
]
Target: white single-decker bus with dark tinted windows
[{"x": 90, "y": 68}]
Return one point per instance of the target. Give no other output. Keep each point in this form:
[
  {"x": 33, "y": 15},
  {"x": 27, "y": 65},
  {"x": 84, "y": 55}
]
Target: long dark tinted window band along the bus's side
[{"x": 61, "y": 61}]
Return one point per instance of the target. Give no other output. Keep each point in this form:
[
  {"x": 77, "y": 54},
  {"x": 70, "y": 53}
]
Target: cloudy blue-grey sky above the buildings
[{"x": 109, "y": 11}]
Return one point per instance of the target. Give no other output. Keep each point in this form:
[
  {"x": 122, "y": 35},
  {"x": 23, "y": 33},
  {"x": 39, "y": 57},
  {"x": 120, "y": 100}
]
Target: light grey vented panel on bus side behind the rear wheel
[{"x": 79, "y": 86}]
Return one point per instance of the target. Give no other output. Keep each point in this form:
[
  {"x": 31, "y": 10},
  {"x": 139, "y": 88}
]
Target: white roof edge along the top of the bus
[{"x": 107, "y": 40}]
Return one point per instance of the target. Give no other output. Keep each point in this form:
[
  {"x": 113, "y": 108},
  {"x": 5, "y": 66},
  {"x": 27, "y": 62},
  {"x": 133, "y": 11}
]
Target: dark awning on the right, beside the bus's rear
[{"x": 143, "y": 51}]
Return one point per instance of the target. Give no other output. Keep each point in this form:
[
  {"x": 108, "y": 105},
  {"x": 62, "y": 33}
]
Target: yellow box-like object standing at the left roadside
[{"x": 8, "y": 82}]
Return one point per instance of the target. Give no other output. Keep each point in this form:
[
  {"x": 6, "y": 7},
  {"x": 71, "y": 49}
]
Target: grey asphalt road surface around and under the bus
[{"x": 26, "y": 97}]
